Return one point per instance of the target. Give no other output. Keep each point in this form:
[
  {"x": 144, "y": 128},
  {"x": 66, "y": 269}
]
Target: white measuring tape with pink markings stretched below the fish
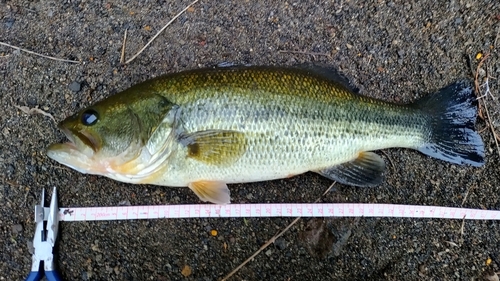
[{"x": 272, "y": 210}]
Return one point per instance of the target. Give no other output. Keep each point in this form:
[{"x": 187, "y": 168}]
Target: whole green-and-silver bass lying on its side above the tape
[{"x": 210, "y": 127}]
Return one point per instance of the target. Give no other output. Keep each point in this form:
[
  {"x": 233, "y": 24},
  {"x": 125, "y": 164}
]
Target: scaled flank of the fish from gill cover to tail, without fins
[{"x": 298, "y": 131}]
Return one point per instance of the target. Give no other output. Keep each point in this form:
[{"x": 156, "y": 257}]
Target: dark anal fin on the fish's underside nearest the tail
[{"x": 366, "y": 170}]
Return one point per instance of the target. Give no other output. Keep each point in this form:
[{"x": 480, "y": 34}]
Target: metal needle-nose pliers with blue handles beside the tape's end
[{"x": 44, "y": 240}]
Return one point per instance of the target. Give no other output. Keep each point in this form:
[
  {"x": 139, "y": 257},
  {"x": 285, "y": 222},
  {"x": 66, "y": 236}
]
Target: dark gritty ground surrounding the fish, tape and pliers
[{"x": 397, "y": 51}]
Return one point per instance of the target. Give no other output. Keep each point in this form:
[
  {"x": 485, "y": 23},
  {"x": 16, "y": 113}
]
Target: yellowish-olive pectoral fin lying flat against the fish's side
[{"x": 215, "y": 147}]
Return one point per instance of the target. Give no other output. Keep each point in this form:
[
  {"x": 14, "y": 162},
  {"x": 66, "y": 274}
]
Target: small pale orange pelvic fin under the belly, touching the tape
[{"x": 211, "y": 191}]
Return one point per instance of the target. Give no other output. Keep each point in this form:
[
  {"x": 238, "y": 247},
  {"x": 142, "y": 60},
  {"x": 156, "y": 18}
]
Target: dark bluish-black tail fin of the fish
[{"x": 453, "y": 138}]
